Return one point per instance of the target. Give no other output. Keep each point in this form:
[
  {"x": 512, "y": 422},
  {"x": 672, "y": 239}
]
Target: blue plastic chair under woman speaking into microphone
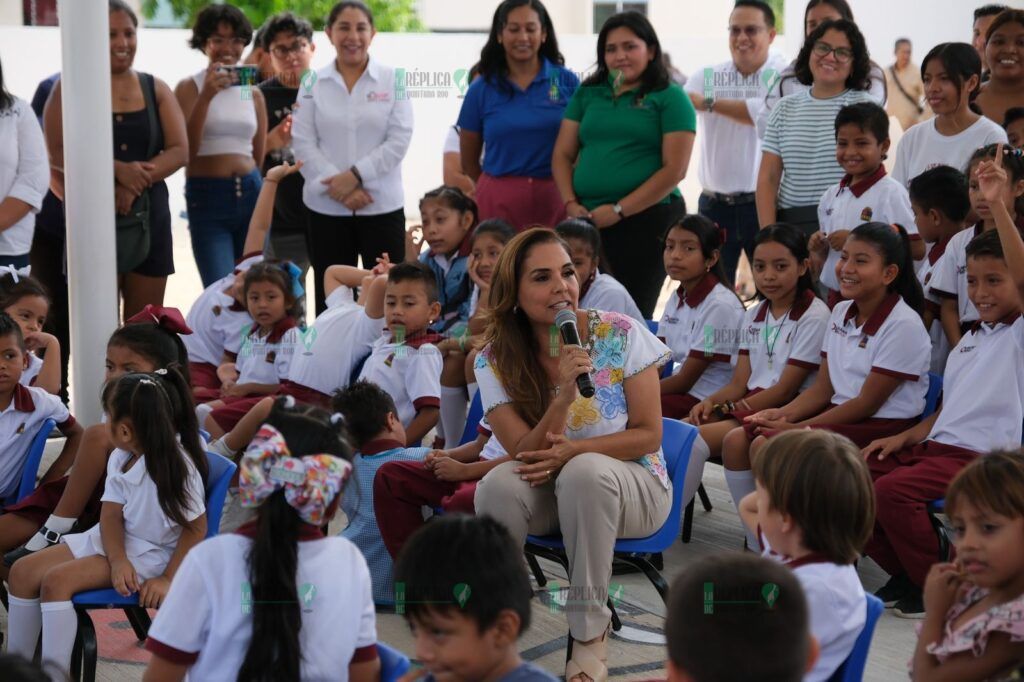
[{"x": 677, "y": 441}]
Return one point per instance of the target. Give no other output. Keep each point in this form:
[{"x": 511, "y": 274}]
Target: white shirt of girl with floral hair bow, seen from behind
[{"x": 206, "y": 620}]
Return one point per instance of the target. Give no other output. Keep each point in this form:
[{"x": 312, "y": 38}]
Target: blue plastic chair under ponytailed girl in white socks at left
[{"x": 83, "y": 660}]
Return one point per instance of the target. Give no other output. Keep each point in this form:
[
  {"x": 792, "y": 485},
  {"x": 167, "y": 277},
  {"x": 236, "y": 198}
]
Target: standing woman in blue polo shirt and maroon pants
[{"x": 516, "y": 108}]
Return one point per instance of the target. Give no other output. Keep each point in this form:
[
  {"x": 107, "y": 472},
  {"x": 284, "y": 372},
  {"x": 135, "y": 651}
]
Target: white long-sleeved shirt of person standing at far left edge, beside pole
[{"x": 25, "y": 173}]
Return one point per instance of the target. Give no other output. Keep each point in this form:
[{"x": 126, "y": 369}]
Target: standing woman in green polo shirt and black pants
[{"x": 629, "y": 131}]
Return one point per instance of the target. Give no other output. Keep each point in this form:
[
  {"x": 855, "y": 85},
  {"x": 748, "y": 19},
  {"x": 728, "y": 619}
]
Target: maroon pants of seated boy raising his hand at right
[{"x": 905, "y": 483}]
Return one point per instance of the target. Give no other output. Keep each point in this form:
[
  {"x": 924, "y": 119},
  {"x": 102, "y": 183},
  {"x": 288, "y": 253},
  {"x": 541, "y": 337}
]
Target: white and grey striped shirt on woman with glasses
[{"x": 802, "y": 133}]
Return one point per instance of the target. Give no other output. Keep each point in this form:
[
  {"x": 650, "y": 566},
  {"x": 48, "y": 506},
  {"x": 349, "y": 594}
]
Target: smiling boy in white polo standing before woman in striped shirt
[{"x": 865, "y": 195}]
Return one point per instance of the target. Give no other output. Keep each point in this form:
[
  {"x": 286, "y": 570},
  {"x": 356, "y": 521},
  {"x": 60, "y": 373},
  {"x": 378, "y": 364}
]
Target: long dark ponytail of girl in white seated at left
[{"x": 159, "y": 407}]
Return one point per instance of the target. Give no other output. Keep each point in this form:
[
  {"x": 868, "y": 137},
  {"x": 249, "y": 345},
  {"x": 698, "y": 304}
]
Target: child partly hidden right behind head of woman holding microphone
[{"x": 599, "y": 291}]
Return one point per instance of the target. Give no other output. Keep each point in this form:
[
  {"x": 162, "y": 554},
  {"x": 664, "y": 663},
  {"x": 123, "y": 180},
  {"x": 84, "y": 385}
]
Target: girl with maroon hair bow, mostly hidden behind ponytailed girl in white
[{"x": 150, "y": 342}]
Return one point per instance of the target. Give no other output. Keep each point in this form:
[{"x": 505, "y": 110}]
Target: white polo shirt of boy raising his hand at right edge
[{"x": 984, "y": 387}]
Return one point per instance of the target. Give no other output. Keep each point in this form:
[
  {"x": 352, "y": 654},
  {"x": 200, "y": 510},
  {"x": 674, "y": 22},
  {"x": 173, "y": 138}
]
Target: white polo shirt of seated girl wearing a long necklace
[{"x": 796, "y": 339}]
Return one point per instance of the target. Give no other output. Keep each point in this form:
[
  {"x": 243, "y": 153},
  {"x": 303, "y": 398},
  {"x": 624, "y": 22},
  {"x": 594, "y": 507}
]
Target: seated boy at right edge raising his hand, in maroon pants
[{"x": 982, "y": 411}]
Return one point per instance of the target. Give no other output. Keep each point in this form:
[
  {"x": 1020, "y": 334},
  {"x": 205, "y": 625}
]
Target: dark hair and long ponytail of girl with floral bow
[{"x": 274, "y": 652}]
